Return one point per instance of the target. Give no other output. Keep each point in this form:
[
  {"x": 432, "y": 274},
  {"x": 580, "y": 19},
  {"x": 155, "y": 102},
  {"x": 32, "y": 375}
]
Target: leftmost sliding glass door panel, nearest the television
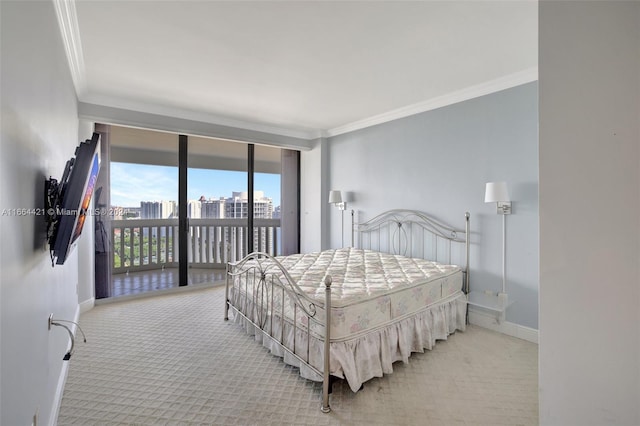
[{"x": 144, "y": 185}]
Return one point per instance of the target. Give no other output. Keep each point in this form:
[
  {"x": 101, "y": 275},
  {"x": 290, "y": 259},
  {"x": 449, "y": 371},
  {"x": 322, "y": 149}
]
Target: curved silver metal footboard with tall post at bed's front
[{"x": 260, "y": 290}]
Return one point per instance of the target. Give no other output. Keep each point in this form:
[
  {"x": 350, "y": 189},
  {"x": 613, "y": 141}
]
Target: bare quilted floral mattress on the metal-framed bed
[{"x": 369, "y": 290}]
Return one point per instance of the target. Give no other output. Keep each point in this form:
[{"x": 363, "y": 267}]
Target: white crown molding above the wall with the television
[{"x": 68, "y": 22}]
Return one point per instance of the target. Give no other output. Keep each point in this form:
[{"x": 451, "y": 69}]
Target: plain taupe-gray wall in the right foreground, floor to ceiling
[{"x": 589, "y": 213}]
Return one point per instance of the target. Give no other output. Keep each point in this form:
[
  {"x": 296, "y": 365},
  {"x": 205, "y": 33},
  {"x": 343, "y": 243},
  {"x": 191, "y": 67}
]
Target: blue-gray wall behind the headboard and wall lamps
[{"x": 439, "y": 162}]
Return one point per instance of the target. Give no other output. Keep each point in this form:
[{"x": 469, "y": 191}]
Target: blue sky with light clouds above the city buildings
[{"x": 132, "y": 183}]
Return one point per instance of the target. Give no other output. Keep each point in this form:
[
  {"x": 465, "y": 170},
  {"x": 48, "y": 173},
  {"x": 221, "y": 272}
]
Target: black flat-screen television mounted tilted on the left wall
[{"x": 75, "y": 190}]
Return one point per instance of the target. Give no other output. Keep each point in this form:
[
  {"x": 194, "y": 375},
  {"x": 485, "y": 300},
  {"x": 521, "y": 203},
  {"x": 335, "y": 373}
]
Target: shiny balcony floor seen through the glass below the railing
[{"x": 136, "y": 283}]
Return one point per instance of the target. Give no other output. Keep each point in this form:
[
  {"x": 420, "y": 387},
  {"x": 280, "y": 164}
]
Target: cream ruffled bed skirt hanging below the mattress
[{"x": 370, "y": 355}]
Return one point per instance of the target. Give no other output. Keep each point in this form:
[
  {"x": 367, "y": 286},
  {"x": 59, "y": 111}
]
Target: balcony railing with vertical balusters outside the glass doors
[{"x": 145, "y": 244}]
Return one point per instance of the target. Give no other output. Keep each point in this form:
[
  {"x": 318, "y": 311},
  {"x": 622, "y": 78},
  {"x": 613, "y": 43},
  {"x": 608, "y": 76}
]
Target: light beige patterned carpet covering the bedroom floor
[{"x": 172, "y": 360}]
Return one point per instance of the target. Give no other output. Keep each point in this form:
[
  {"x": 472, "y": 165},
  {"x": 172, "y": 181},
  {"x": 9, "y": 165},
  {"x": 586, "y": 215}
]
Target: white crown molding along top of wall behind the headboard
[{"x": 502, "y": 83}]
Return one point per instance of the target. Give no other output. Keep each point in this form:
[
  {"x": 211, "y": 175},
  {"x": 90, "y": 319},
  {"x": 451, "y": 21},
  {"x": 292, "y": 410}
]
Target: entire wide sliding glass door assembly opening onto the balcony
[{"x": 188, "y": 205}]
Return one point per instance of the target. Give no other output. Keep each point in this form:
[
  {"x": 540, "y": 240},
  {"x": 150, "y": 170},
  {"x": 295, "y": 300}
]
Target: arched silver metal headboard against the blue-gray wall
[{"x": 413, "y": 233}]
